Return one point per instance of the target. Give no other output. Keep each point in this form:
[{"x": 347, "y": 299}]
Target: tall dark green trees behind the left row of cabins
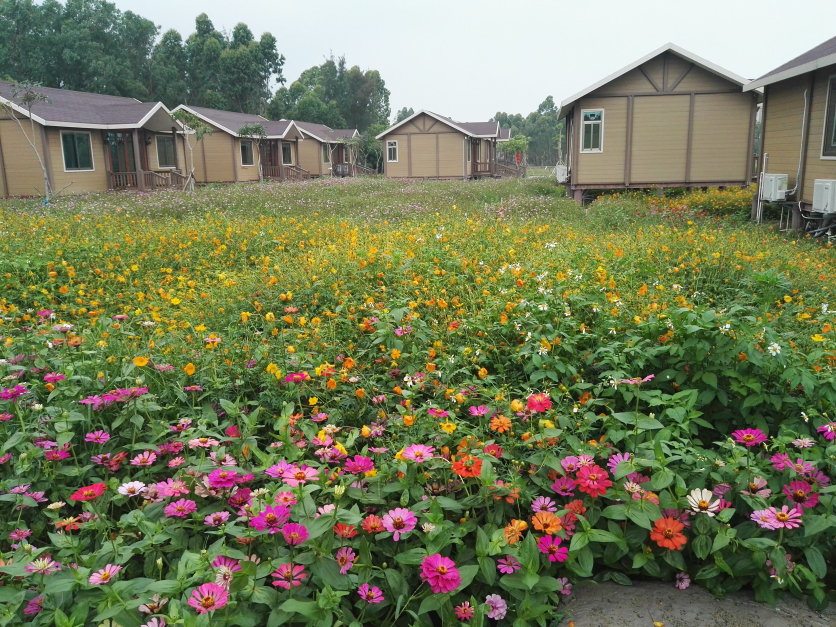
[{"x": 90, "y": 45}]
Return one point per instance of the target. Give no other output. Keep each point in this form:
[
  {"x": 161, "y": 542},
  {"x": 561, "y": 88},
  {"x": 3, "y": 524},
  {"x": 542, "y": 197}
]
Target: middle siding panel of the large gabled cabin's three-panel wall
[{"x": 660, "y": 139}]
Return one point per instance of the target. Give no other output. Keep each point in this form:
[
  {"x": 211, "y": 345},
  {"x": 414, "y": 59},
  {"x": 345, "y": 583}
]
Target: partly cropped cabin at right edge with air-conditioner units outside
[{"x": 798, "y": 123}]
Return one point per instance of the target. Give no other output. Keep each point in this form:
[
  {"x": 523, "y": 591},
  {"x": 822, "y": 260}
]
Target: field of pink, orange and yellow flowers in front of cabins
[{"x": 383, "y": 403}]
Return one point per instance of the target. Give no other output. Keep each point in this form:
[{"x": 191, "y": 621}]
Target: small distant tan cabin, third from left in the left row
[{"x": 328, "y": 152}]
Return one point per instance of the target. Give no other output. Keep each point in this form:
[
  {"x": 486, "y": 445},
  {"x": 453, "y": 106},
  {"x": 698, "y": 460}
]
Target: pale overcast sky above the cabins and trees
[{"x": 468, "y": 59}]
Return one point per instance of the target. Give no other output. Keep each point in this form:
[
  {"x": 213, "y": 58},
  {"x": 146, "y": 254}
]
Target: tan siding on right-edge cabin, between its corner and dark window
[{"x": 782, "y": 126}]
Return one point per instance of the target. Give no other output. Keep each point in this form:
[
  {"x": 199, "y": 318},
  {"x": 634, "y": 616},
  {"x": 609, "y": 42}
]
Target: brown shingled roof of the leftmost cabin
[{"x": 77, "y": 108}]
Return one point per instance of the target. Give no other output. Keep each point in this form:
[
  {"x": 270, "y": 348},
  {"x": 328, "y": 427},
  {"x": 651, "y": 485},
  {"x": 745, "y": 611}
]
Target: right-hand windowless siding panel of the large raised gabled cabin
[{"x": 720, "y": 144}]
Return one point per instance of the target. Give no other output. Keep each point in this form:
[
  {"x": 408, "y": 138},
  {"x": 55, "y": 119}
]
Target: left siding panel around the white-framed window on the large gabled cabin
[{"x": 607, "y": 166}]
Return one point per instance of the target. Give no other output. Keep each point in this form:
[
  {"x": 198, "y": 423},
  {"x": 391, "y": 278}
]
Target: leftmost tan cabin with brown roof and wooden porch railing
[{"x": 87, "y": 142}]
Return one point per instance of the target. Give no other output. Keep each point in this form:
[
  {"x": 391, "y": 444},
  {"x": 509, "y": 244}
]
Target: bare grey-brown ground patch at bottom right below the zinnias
[{"x": 642, "y": 604}]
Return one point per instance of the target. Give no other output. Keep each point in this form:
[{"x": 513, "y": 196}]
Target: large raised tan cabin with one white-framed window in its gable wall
[{"x": 670, "y": 119}]
